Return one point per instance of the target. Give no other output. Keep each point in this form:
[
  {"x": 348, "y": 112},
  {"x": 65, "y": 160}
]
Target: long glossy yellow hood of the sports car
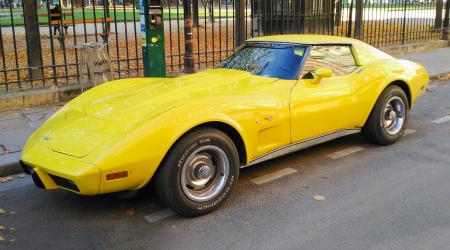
[{"x": 111, "y": 109}]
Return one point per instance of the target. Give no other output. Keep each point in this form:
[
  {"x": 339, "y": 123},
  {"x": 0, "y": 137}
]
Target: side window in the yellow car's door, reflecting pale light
[{"x": 338, "y": 58}]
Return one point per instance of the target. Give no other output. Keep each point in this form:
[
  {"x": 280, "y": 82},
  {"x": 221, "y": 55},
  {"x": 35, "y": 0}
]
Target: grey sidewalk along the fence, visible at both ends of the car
[{"x": 16, "y": 126}]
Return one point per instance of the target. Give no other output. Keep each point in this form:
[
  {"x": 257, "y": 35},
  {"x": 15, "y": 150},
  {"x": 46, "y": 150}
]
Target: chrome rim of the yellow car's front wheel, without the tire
[{"x": 205, "y": 173}]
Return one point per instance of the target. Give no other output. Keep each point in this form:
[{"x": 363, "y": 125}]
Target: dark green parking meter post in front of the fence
[{"x": 152, "y": 31}]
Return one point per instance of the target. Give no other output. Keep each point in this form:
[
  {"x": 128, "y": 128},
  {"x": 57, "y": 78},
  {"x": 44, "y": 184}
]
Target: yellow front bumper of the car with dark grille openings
[{"x": 52, "y": 170}]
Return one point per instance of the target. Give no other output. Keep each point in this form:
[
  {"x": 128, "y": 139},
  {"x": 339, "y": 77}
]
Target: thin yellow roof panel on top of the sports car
[{"x": 305, "y": 39}]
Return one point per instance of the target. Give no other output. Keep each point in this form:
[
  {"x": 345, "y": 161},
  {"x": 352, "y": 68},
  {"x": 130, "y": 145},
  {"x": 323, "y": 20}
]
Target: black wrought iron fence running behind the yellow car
[{"x": 42, "y": 53}]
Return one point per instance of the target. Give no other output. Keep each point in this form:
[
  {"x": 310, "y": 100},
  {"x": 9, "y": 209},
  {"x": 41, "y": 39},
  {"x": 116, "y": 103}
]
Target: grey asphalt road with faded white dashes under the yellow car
[{"x": 392, "y": 197}]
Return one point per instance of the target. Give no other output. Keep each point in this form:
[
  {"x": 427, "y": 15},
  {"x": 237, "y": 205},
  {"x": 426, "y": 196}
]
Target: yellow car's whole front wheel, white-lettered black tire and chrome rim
[{"x": 199, "y": 172}]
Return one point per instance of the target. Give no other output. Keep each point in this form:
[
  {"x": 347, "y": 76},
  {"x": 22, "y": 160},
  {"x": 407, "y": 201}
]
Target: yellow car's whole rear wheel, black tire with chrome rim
[{"x": 389, "y": 117}]
